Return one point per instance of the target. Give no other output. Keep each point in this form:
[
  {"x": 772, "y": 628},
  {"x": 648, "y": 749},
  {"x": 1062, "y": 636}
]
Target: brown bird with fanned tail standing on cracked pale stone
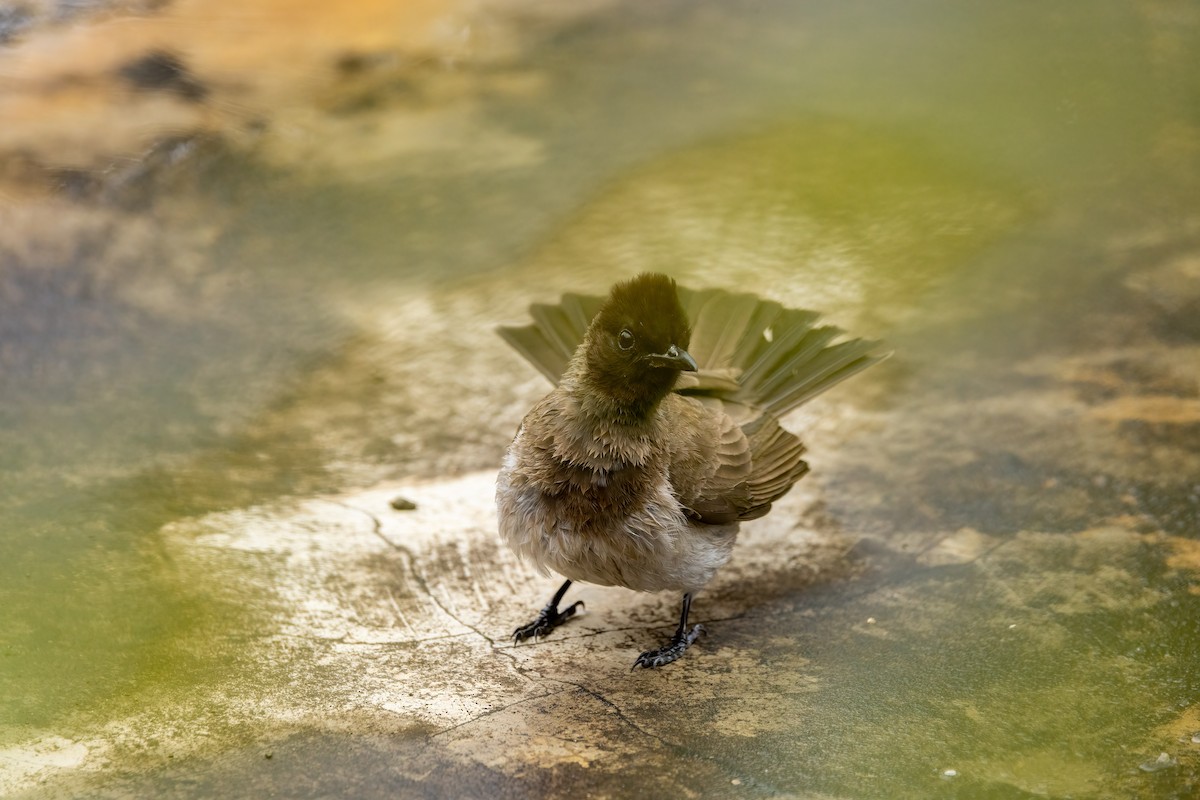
[{"x": 661, "y": 437}]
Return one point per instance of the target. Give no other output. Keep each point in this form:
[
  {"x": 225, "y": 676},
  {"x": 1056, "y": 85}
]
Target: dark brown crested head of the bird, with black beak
[{"x": 638, "y": 345}]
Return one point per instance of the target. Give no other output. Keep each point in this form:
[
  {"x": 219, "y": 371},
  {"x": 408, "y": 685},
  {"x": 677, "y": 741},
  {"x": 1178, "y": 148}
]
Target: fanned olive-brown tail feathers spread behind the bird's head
[{"x": 752, "y": 352}]
